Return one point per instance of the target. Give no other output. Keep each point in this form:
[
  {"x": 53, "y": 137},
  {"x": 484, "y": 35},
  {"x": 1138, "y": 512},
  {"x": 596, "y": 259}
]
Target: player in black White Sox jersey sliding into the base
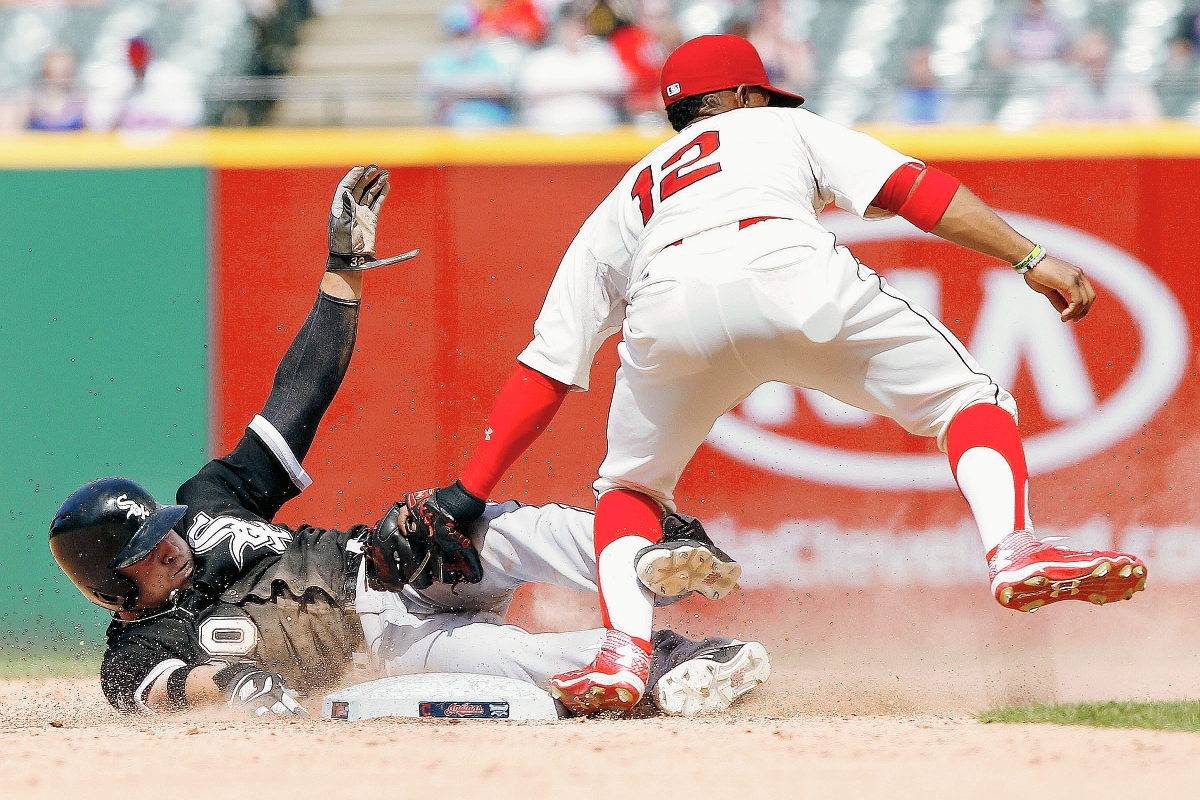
[{"x": 213, "y": 603}]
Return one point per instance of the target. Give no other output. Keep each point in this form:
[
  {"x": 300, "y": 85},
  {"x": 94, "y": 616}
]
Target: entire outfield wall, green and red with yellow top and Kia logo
[{"x": 226, "y": 231}]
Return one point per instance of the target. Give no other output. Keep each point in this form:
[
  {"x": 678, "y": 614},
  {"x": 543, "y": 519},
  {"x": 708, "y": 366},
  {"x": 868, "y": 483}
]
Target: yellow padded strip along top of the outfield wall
[{"x": 233, "y": 148}]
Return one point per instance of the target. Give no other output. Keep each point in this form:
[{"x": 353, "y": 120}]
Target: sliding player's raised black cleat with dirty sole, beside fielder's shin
[{"x": 687, "y": 561}]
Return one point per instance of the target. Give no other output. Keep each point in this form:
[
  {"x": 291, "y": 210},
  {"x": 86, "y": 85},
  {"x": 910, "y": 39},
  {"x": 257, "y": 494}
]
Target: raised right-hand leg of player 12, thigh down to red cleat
[{"x": 895, "y": 359}]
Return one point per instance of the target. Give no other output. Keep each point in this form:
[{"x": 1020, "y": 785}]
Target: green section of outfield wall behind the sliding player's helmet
[{"x": 104, "y": 345}]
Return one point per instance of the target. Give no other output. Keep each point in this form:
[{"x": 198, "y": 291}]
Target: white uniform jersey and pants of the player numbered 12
[{"x": 710, "y": 311}]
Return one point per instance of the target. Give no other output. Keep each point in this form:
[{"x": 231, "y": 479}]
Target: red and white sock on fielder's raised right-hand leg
[{"x": 988, "y": 461}]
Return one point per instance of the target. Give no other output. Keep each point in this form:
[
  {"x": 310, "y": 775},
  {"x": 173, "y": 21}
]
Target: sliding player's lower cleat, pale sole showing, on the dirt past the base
[{"x": 705, "y": 677}]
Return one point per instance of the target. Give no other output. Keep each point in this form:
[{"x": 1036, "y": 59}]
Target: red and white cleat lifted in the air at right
[{"x": 1027, "y": 574}]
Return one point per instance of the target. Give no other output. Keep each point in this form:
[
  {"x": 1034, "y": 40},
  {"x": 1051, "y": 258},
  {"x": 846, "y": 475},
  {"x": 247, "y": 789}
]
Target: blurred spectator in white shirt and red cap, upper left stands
[{"x": 151, "y": 95}]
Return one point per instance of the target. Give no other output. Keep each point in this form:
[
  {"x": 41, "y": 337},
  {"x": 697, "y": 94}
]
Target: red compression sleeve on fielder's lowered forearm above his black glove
[{"x": 526, "y": 405}]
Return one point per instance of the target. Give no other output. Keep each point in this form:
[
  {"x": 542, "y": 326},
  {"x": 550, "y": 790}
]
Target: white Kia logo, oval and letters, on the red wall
[{"x": 1003, "y": 339}]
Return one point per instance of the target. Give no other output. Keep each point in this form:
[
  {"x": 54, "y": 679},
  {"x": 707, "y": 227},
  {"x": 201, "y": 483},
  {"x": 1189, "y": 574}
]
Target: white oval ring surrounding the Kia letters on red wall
[{"x": 1155, "y": 376}]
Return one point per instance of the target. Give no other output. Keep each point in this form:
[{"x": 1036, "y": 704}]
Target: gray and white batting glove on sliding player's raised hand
[{"x": 353, "y": 219}]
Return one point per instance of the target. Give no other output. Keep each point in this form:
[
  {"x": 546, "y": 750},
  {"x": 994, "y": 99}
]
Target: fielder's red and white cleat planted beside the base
[{"x": 614, "y": 682}]
